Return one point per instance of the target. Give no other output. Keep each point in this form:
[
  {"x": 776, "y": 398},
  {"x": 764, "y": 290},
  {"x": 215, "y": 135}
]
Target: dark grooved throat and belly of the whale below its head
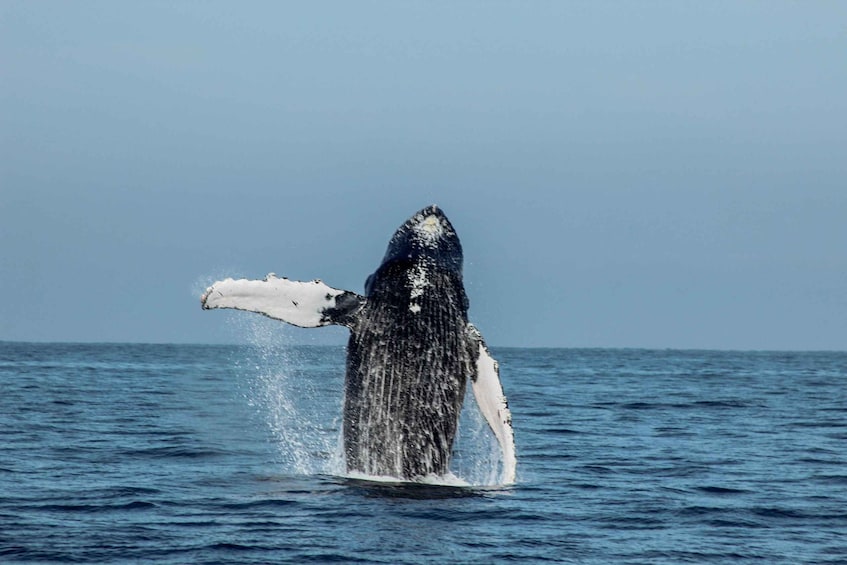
[{"x": 407, "y": 369}]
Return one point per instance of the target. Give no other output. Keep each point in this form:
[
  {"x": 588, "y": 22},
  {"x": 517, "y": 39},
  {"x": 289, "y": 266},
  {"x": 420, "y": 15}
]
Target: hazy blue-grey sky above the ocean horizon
[{"x": 621, "y": 174}]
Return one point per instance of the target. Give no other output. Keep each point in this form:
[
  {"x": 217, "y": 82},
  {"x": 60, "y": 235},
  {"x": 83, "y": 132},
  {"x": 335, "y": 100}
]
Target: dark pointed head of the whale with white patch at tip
[{"x": 428, "y": 240}]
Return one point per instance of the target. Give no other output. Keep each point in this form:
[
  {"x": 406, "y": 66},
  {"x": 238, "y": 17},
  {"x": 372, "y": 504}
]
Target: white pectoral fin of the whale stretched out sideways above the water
[{"x": 305, "y": 304}]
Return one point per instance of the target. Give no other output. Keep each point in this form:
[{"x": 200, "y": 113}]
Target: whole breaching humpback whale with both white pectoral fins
[{"x": 410, "y": 353}]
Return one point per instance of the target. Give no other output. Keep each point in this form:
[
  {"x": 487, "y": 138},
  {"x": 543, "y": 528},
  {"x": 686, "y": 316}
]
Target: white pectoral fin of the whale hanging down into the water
[{"x": 493, "y": 404}]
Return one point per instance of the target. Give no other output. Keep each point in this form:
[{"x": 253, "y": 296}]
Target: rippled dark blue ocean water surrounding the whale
[{"x": 202, "y": 454}]
